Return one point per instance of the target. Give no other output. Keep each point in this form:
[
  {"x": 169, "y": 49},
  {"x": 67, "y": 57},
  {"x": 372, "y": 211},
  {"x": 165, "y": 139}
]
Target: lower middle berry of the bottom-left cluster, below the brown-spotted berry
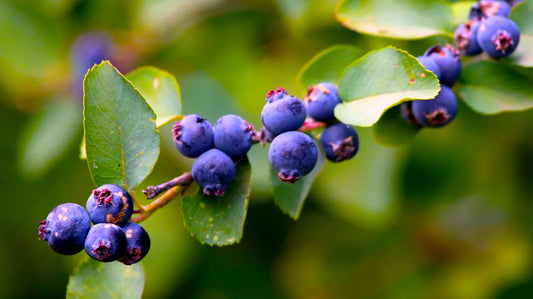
[{"x": 105, "y": 242}]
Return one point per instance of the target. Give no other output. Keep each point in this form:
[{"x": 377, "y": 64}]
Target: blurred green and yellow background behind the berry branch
[{"x": 447, "y": 216}]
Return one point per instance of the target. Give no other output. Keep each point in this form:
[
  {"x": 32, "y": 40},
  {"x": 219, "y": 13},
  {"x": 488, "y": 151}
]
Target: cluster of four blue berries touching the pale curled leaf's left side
[{"x": 294, "y": 154}]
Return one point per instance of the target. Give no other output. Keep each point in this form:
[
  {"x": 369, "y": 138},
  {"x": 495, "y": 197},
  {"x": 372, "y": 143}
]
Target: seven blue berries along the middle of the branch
[{"x": 292, "y": 153}]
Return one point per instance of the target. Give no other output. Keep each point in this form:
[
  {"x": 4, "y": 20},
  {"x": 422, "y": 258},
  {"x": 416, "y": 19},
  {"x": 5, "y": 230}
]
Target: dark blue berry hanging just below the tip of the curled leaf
[{"x": 437, "y": 112}]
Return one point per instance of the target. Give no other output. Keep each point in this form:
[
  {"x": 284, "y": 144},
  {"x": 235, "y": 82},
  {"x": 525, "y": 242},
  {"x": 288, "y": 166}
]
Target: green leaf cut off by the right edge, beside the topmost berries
[{"x": 521, "y": 14}]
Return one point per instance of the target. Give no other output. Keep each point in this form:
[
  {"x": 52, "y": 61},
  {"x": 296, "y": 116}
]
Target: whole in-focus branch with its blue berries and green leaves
[{"x": 387, "y": 88}]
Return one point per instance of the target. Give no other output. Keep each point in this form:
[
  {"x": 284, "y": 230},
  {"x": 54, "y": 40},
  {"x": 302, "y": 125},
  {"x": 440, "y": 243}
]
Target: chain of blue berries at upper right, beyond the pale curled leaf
[{"x": 488, "y": 30}]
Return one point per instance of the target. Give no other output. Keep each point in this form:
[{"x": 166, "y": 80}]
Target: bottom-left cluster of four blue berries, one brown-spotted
[{"x": 67, "y": 228}]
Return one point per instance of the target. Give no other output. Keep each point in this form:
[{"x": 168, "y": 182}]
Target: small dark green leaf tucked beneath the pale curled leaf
[{"x": 392, "y": 130}]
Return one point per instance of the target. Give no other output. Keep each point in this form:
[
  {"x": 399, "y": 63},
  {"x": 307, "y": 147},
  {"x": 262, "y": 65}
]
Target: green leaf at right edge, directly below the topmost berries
[{"x": 491, "y": 87}]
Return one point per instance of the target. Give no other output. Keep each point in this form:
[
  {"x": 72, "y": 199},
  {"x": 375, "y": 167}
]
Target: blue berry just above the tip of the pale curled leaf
[{"x": 449, "y": 62}]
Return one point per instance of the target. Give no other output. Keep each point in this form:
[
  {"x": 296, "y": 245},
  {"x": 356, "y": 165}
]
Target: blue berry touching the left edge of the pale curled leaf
[{"x": 321, "y": 100}]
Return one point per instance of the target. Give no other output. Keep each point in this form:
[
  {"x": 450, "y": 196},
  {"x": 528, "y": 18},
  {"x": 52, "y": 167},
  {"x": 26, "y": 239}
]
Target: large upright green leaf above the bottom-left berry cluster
[{"x": 122, "y": 142}]
